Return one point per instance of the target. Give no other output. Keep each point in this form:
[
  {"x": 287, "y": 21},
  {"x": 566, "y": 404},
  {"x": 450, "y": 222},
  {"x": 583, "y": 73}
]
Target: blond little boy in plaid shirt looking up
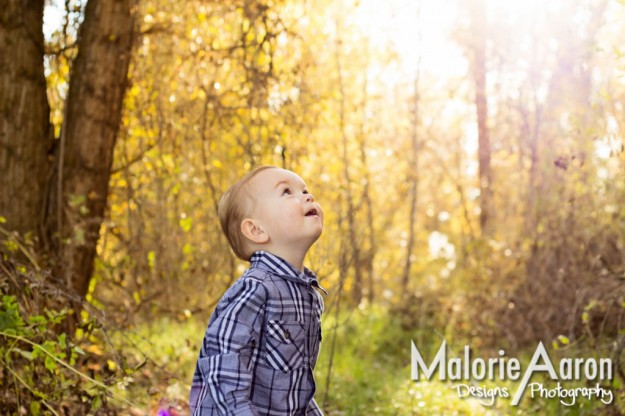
[{"x": 262, "y": 341}]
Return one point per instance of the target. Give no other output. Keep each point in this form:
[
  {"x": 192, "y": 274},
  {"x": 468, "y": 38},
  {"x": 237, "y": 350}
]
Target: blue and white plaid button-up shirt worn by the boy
[{"x": 261, "y": 345}]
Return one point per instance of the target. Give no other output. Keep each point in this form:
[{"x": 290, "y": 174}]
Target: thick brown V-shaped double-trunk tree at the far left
[{"x": 63, "y": 200}]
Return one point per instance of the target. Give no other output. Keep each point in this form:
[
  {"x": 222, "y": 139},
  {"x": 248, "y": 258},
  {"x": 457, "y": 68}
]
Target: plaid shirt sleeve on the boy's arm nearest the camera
[{"x": 223, "y": 374}]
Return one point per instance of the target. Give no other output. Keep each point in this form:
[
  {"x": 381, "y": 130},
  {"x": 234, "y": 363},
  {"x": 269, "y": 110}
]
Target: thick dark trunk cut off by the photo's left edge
[{"x": 25, "y": 134}]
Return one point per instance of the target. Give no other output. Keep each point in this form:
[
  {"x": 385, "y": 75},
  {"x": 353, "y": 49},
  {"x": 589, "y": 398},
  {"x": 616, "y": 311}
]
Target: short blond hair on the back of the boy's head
[{"x": 234, "y": 206}]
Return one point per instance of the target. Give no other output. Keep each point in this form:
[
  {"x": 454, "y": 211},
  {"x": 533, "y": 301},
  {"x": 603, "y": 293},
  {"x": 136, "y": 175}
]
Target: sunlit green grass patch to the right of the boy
[{"x": 371, "y": 375}]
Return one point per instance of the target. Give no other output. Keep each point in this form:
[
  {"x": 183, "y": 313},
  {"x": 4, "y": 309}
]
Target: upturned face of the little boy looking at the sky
[{"x": 285, "y": 209}]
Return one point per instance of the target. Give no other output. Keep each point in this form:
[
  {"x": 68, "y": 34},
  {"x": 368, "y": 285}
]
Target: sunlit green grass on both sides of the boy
[{"x": 369, "y": 373}]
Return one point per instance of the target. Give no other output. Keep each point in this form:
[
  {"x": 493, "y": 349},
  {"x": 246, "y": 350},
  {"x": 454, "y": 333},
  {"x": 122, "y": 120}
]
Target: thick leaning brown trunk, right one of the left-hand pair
[{"x": 92, "y": 117}]
